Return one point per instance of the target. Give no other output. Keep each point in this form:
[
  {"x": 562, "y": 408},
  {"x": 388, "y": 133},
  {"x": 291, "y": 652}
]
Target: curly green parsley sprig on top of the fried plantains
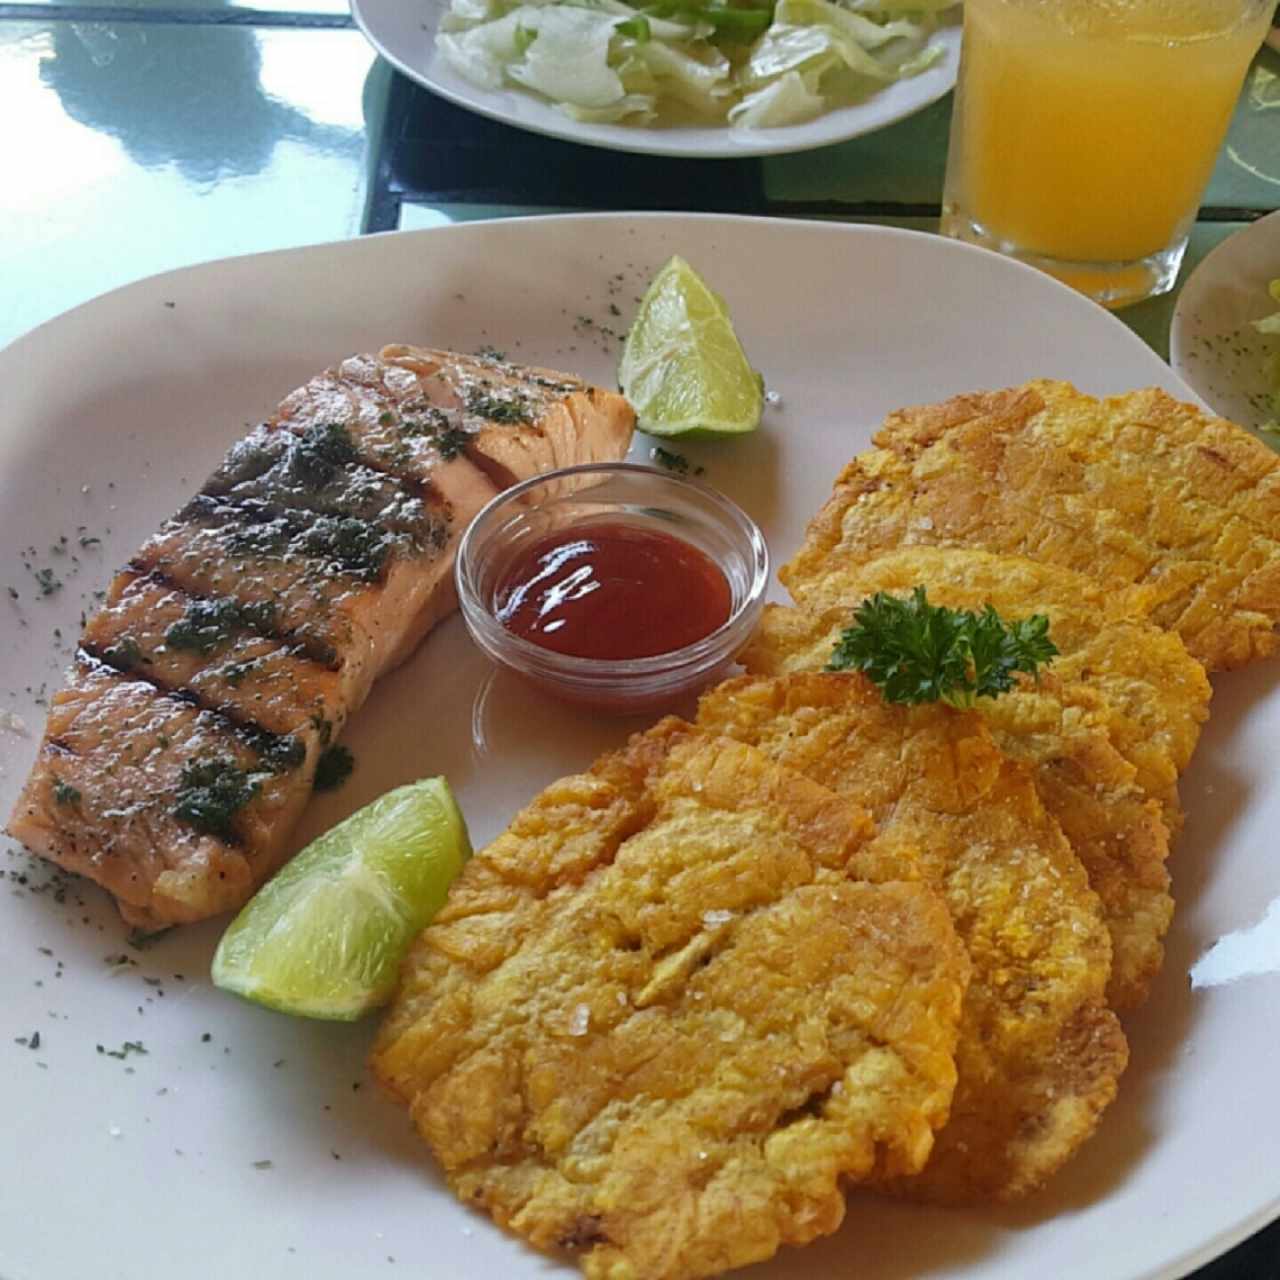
[{"x": 917, "y": 652}]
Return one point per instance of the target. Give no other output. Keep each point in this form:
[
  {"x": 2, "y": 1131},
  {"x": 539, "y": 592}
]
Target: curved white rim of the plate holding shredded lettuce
[{"x": 738, "y": 145}]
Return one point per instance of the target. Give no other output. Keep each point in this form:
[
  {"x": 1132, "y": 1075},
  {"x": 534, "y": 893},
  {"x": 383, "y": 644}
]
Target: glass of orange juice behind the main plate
[{"x": 1086, "y": 131}]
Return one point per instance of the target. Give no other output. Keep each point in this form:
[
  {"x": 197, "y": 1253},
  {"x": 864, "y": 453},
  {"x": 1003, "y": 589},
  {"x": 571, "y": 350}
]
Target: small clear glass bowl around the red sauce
[{"x": 623, "y": 493}]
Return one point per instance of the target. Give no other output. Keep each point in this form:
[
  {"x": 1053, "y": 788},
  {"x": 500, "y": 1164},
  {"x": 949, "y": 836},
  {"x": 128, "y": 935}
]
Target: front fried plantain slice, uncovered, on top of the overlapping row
[{"x": 664, "y": 1017}]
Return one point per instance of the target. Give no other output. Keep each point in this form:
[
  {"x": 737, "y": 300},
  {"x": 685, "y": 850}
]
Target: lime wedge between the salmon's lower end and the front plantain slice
[{"x": 324, "y": 938}]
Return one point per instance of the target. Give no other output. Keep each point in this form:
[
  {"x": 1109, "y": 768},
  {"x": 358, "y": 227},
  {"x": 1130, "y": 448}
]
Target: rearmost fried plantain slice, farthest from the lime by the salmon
[{"x": 1132, "y": 490}]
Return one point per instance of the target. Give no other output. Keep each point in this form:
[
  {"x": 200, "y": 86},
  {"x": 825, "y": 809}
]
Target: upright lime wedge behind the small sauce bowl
[{"x": 683, "y": 368}]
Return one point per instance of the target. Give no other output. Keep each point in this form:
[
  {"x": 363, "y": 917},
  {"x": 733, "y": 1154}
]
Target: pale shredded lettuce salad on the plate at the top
[{"x": 751, "y": 63}]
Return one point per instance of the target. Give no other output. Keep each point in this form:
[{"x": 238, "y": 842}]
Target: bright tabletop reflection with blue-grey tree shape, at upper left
[{"x": 175, "y": 144}]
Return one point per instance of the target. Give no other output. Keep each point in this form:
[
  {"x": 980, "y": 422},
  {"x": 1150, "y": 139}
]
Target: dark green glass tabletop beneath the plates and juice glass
[{"x": 145, "y": 136}]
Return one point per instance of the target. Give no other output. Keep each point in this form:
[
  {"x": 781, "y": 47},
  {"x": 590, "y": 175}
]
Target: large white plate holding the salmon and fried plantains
[{"x": 145, "y": 1168}]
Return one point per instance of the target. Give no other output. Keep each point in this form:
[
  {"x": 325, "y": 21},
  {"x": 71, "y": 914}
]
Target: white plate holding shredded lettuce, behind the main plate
[{"x": 404, "y": 33}]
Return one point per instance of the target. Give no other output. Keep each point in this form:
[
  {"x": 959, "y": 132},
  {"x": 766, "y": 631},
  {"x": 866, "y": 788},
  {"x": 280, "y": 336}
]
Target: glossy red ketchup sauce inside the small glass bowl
[{"x": 612, "y": 591}]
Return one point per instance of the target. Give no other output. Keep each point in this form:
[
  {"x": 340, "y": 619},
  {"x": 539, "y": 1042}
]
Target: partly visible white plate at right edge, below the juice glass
[{"x": 1212, "y": 342}]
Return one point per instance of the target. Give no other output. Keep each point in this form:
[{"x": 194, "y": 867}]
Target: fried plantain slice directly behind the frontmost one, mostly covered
[{"x": 1040, "y": 1052}]
